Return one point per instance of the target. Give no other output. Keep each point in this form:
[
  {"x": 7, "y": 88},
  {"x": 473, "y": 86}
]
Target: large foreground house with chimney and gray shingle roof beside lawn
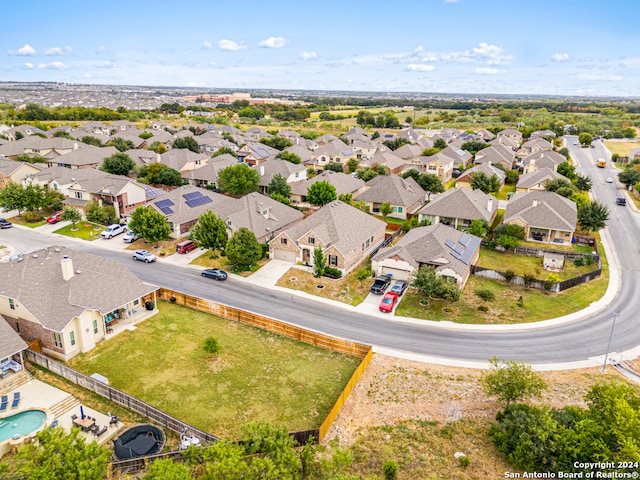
[{"x": 68, "y": 299}]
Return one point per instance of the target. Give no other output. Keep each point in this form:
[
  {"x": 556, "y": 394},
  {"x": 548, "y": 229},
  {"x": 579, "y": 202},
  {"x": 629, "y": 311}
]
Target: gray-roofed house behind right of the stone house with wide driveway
[{"x": 403, "y": 194}]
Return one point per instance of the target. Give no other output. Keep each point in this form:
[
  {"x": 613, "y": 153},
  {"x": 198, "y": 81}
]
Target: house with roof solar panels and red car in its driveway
[{"x": 449, "y": 251}]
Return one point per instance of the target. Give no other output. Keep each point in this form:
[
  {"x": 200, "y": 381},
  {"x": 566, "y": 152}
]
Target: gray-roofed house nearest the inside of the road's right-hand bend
[{"x": 546, "y": 216}]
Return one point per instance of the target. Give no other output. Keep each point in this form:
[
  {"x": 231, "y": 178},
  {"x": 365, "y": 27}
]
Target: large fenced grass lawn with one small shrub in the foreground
[{"x": 256, "y": 376}]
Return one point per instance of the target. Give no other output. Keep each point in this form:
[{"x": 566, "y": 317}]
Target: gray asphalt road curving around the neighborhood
[{"x": 549, "y": 345}]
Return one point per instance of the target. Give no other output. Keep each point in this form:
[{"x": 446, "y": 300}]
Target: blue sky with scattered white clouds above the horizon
[{"x": 561, "y": 47}]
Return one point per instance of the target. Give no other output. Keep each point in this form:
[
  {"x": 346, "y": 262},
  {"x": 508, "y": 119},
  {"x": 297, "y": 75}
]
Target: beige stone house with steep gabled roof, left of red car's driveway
[{"x": 345, "y": 234}]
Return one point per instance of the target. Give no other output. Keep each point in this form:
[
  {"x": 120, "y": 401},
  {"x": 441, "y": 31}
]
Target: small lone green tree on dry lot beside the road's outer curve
[{"x": 511, "y": 381}]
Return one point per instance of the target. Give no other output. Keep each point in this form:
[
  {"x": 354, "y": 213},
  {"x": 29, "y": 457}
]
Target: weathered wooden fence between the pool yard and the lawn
[{"x": 117, "y": 396}]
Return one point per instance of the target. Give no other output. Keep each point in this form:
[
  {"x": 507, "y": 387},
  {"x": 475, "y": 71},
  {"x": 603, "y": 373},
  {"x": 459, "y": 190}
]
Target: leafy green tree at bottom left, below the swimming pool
[{"x": 58, "y": 455}]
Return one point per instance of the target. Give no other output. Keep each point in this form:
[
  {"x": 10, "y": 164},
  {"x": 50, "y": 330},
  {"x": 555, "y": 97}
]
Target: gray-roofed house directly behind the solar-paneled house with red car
[{"x": 458, "y": 207}]
